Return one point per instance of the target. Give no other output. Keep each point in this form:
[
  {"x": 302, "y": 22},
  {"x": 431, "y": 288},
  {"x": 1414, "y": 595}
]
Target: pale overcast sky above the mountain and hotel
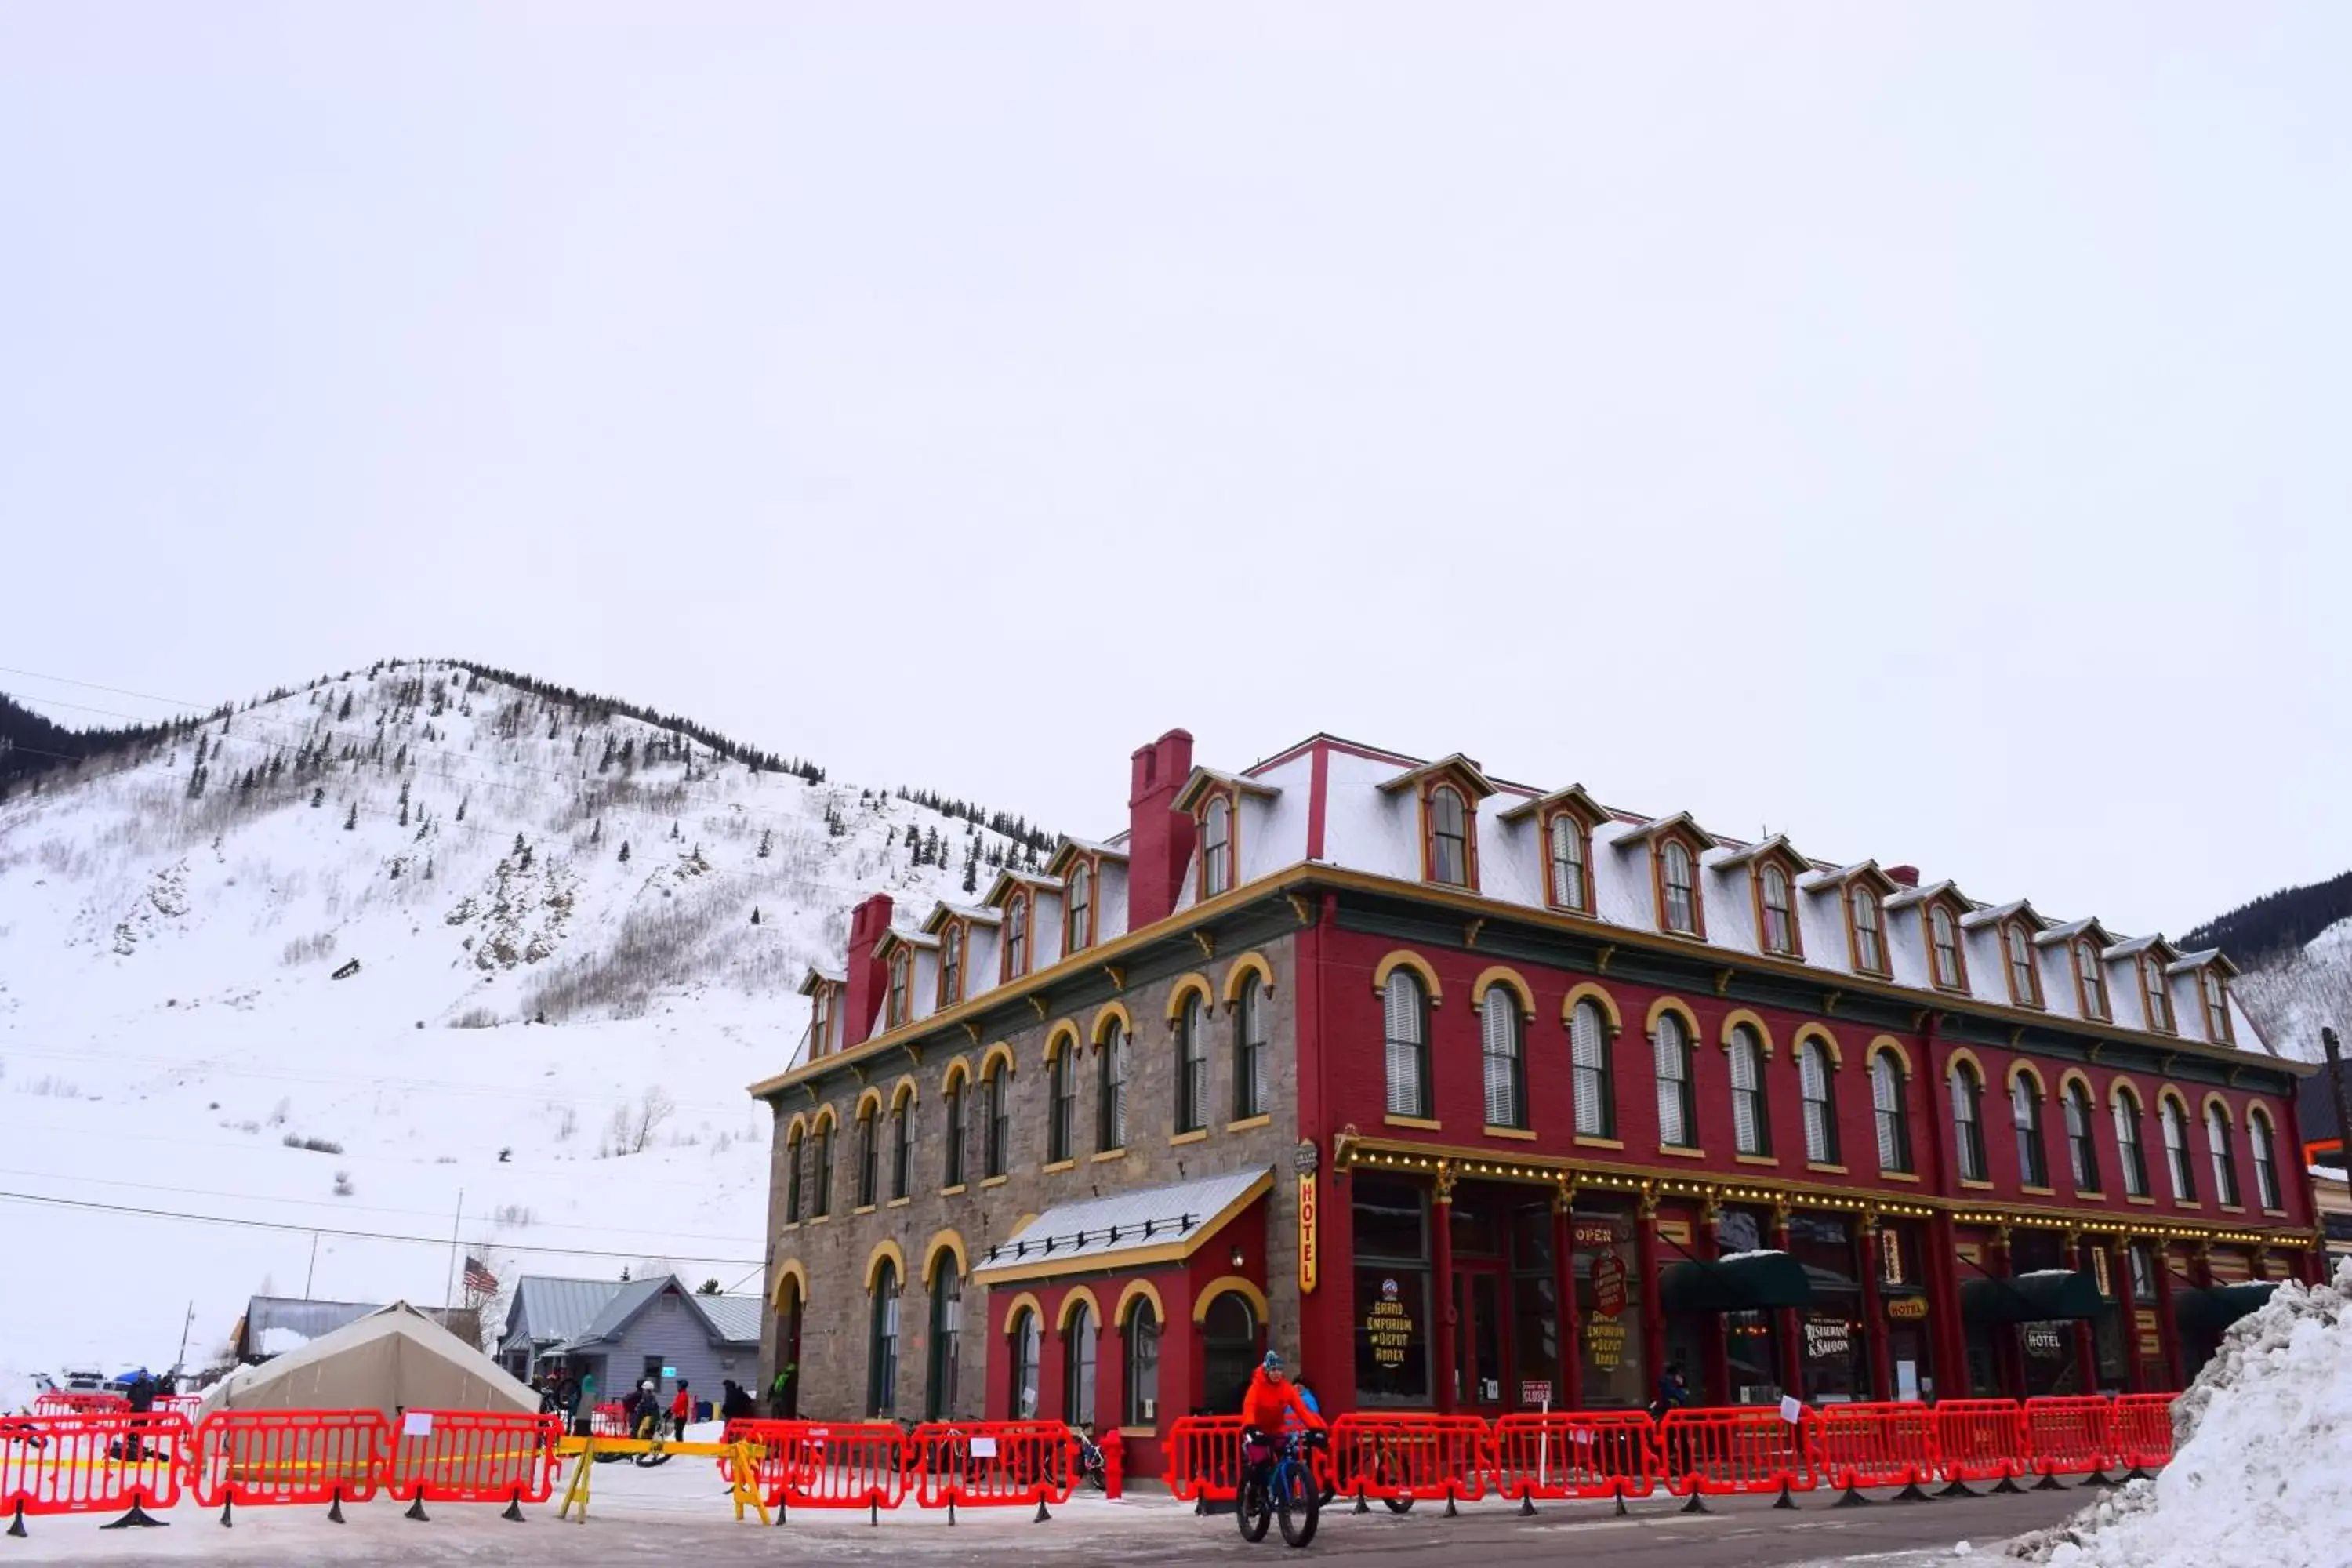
[{"x": 1913, "y": 429}]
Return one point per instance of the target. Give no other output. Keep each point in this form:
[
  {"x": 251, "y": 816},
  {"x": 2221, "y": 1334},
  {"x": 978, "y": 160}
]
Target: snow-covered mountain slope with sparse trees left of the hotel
[{"x": 171, "y": 1021}]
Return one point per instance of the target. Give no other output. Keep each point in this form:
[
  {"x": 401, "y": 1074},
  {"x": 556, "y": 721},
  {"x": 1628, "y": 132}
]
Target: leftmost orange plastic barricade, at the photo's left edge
[{"x": 91, "y": 1463}]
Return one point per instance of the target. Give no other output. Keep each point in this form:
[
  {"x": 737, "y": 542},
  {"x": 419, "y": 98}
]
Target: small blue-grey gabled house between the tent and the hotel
[{"x": 629, "y": 1332}]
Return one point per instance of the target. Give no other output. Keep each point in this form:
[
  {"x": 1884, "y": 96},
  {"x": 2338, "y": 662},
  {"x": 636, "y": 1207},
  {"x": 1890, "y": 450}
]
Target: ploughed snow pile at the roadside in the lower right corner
[{"x": 2257, "y": 1480}]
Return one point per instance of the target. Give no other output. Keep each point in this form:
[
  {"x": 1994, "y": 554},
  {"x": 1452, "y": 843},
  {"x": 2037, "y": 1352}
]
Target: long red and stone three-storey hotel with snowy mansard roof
[{"x": 1474, "y": 1094}]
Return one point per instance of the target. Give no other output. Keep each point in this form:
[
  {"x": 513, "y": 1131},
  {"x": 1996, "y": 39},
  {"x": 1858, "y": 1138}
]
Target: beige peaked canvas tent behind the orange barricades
[{"x": 385, "y": 1362}]
